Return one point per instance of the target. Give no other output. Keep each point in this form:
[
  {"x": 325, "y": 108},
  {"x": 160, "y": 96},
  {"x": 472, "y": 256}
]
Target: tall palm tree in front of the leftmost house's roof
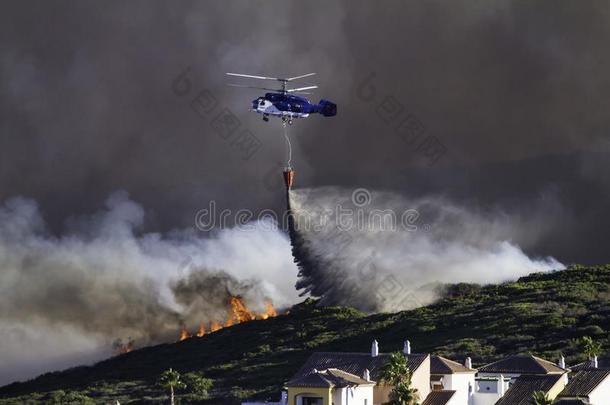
[{"x": 396, "y": 373}]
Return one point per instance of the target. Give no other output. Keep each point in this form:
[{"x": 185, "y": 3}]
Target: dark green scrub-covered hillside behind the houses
[{"x": 540, "y": 313}]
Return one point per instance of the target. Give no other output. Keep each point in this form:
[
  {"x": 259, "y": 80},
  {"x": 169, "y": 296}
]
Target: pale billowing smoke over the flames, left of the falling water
[{"x": 64, "y": 300}]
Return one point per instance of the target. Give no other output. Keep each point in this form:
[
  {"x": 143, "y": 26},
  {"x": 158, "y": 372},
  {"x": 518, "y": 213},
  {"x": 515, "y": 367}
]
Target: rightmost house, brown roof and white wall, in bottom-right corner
[{"x": 592, "y": 386}]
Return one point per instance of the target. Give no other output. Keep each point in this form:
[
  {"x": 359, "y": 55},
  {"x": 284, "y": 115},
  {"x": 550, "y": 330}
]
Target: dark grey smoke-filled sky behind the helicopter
[{"x": 515, "y": 91}]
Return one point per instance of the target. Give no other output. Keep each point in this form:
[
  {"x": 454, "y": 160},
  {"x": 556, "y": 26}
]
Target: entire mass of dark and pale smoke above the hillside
[{"x": 87, "y": 107}]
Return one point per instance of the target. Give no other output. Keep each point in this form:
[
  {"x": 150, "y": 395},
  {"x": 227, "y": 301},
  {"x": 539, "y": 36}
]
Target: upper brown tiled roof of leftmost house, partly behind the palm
[{"x": 353, "y": 363}]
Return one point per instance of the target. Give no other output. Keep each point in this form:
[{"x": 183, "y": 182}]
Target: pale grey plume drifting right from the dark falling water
[{"x": 381, "y": 251}]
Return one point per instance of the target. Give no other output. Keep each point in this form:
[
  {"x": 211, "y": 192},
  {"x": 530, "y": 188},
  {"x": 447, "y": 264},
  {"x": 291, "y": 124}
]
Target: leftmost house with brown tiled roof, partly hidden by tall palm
[{"x": 358, "y": 373}]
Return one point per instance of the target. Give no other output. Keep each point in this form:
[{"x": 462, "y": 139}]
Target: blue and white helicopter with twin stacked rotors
[{"x": 284, "y": 102}]
